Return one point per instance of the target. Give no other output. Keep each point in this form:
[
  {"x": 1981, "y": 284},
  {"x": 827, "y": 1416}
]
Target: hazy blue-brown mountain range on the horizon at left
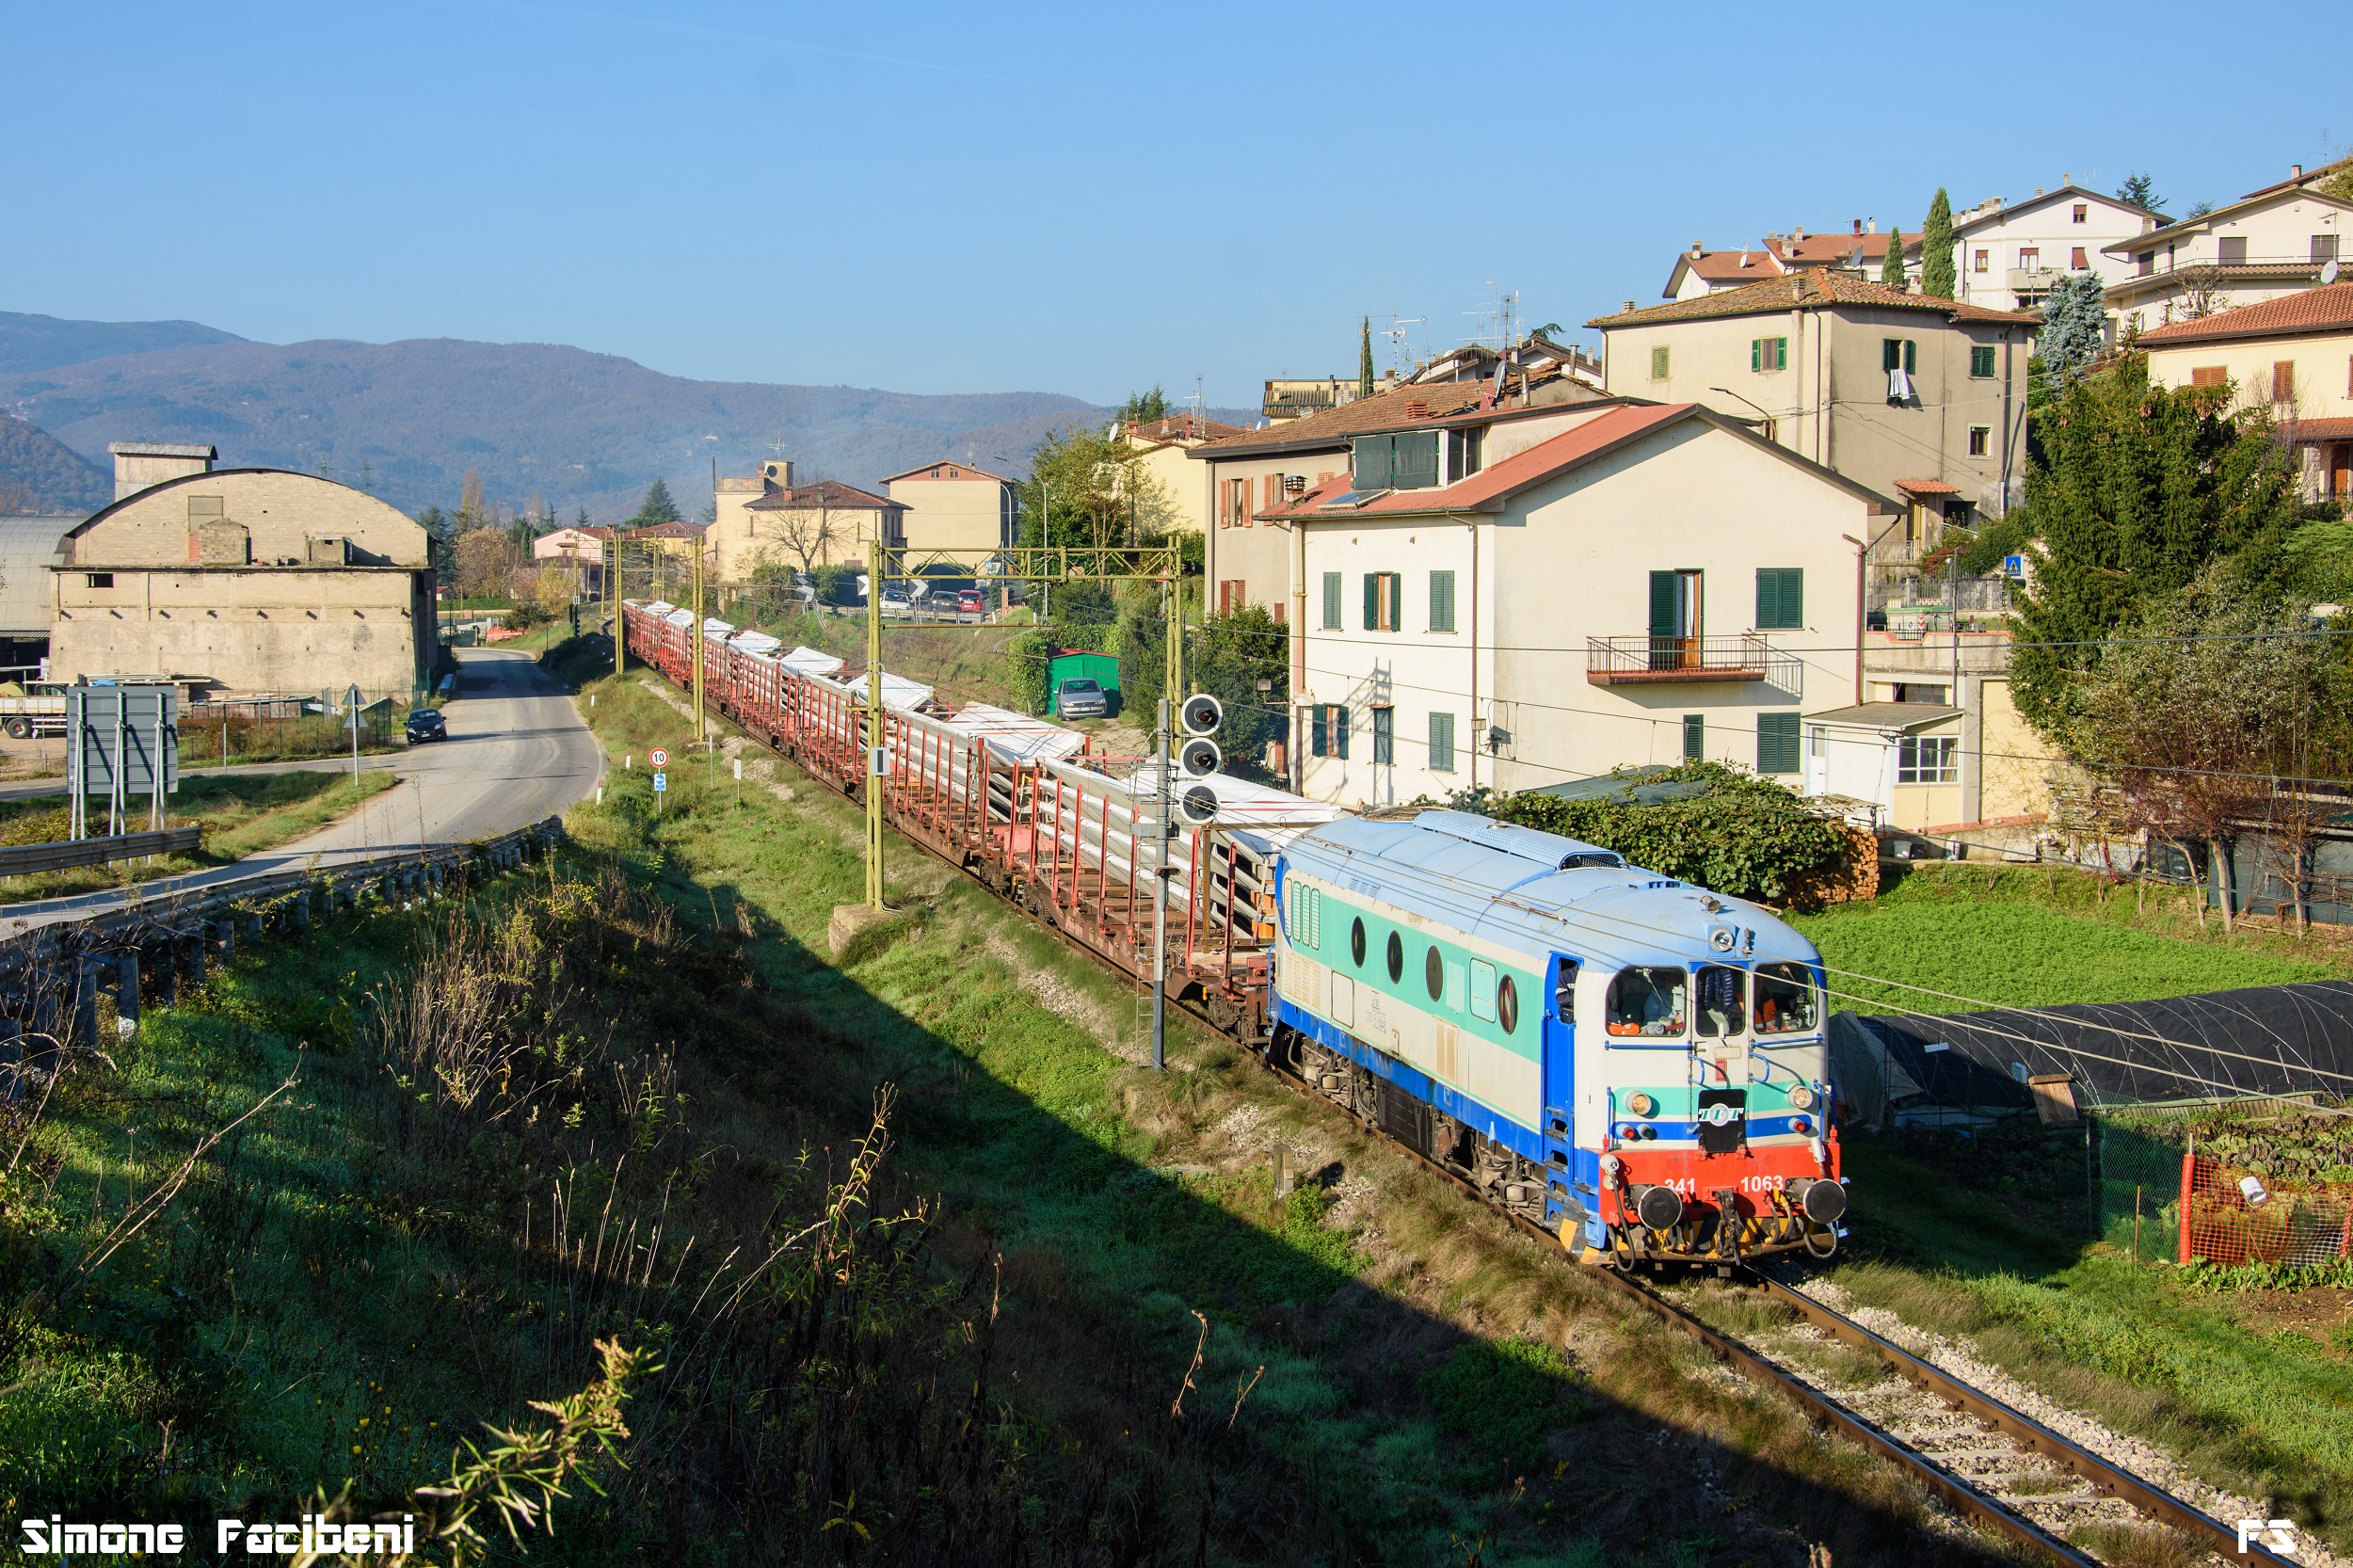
[{"x": 406, "y": 420}]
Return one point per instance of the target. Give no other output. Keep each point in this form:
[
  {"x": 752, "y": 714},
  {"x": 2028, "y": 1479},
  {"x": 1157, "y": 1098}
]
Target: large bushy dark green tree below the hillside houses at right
[{"x": 2135, "y": 491}]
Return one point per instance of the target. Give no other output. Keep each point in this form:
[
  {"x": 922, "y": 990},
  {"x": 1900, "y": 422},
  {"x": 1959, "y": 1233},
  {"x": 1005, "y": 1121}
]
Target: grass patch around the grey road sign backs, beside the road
[{"x": 241, "y": 816}]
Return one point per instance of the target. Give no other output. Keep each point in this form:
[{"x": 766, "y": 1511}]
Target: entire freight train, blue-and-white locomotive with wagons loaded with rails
[{"x": 1627, "y": 1063}]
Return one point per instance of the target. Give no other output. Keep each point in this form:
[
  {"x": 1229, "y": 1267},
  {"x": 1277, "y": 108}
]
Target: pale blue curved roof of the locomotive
[{"x": 1535, "y": 893}]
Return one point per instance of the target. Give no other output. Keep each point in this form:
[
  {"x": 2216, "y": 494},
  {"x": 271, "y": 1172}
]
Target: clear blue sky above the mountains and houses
[{"x": 1060, "y": 199}]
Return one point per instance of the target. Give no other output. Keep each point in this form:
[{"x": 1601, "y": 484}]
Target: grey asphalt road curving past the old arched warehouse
[{"x": 516, "y": 755}]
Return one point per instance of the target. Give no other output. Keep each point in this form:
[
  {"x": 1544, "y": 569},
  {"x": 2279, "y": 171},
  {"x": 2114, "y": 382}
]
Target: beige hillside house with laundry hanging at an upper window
[{"x": 1905, "y": 394}]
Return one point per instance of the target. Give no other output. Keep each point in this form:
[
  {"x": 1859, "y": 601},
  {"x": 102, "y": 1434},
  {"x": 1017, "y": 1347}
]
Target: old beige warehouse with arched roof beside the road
[{"x": 244, "y": 580}]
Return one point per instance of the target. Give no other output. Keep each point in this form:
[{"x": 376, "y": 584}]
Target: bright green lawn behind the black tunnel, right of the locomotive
[{"x": 2022, "y": 938}]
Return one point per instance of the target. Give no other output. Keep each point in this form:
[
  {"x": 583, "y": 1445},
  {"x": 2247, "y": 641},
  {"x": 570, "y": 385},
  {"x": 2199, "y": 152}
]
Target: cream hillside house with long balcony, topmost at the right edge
[{"x": 2267, "y": 244}]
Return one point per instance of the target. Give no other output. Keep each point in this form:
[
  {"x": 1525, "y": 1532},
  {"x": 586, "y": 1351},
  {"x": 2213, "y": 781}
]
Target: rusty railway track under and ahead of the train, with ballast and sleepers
[{"x": 1947, "y": 1459}]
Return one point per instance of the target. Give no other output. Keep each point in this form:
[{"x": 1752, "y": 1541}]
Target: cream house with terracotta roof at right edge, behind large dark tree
[{"x": 2293, "y": 354}]
